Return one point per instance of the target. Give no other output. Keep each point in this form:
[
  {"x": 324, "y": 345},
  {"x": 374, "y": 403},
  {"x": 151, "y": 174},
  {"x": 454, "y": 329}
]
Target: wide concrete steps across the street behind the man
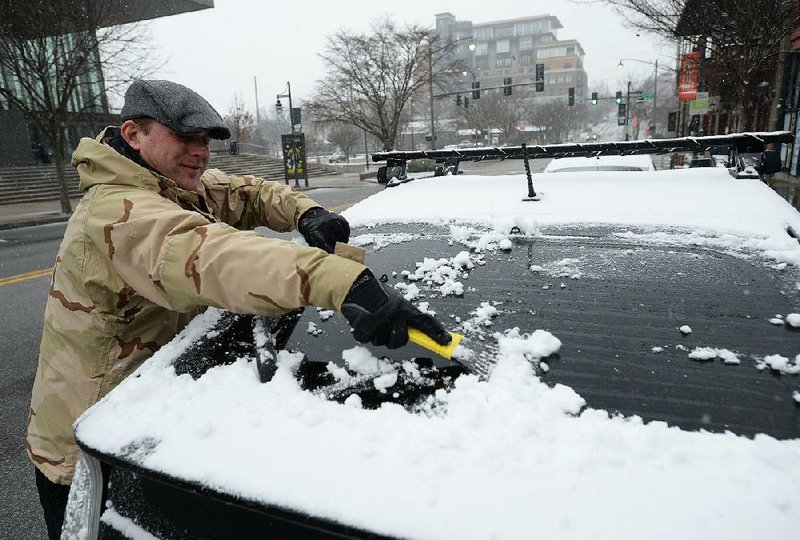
[{"x": 39, "y": 182}]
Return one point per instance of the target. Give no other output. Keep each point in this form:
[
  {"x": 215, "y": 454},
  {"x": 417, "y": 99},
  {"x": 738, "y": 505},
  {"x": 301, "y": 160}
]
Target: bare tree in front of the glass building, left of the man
[{"x": 57, "y": 60}]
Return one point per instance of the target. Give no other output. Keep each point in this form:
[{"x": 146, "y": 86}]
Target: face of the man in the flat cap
[{"x": 182, "y": 158}]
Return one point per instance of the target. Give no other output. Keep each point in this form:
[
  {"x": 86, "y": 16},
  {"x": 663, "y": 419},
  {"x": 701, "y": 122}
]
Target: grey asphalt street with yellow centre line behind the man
[{"x": 26, "y": 257}]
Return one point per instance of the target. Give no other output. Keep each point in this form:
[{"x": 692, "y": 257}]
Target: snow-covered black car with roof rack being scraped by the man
[{"x": 629, "y": 369}]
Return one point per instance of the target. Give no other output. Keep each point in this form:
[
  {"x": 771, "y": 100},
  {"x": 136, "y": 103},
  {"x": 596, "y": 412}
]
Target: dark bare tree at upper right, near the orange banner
[{"x": 742, "y": 37}]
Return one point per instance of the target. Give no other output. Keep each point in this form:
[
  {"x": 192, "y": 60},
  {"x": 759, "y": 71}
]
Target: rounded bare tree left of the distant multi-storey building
[{"x": 373, "y": 76}]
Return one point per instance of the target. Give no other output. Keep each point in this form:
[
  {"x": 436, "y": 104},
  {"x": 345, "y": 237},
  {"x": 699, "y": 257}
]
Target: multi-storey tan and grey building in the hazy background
[{"x": 511, "y": 49}]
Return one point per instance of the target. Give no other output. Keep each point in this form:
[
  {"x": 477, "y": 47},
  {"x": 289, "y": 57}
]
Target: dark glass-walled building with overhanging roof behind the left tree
[{"x": 88, "y": 109}]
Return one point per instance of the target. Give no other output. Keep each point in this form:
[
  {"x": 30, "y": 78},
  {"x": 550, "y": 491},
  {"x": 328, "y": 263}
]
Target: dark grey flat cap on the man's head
[{"x": 179, "y": 108}]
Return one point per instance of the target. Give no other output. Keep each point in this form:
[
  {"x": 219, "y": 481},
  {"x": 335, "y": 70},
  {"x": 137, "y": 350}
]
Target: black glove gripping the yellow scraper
[{"x": 381, "y": 315}]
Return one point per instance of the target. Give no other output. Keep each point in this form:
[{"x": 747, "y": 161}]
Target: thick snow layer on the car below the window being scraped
[{"x": 507, "y": 457}]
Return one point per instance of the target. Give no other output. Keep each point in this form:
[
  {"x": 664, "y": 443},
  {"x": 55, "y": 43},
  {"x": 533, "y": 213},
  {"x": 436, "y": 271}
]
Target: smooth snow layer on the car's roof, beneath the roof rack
[{"x": 708, "y": 201}]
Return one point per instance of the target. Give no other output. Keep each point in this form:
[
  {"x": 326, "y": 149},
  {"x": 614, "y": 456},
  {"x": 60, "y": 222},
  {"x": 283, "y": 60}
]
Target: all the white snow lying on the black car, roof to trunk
[{"x": 504, "y": 457}]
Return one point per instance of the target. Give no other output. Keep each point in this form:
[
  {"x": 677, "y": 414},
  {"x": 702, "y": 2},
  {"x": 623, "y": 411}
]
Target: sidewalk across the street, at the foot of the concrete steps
[{"x": 38, "y": 213}]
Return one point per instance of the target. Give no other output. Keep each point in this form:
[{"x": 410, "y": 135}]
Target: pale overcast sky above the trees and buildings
[{"x": 218, "y": 51}]
